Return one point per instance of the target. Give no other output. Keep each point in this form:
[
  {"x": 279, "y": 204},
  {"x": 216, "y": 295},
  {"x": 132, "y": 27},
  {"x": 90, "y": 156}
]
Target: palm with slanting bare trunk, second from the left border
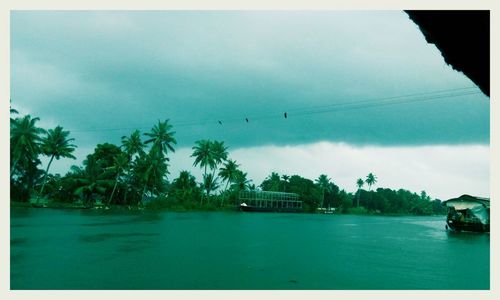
[{"x": 56, "y": 145}]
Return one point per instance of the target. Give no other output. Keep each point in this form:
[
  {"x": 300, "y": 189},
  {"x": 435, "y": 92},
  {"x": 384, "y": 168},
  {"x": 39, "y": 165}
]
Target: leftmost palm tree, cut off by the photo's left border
[{"x": 24, "y": 140}]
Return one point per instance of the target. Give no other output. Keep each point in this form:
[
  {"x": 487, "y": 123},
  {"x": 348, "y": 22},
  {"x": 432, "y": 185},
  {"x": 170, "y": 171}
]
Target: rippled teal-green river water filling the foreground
[{"x": 89, "y": 249}]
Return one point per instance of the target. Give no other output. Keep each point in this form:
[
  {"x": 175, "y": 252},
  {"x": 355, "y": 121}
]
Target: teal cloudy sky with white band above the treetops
[{"x": 363, "y": 92}]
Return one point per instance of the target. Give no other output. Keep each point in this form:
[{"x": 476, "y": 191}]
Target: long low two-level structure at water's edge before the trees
[{"x": 269, "y": 201}]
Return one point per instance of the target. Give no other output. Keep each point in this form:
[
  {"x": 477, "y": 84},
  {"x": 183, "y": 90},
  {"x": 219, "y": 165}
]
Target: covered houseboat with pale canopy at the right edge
[{"x": 468, "y": 213}]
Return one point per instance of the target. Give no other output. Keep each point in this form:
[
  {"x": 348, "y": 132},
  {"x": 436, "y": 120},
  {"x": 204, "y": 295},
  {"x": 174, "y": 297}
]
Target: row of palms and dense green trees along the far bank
[{"x": 135, "y": 174}]
